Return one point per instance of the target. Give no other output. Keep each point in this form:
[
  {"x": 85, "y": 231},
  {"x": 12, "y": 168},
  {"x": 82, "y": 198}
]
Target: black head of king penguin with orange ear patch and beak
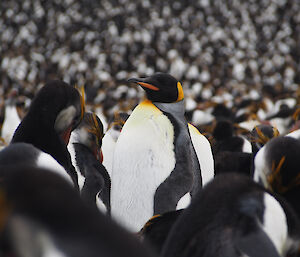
[{"x": 161, "y": 87}]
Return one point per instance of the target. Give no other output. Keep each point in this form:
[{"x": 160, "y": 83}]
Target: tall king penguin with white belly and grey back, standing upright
[{"x": 155, "y": 163}]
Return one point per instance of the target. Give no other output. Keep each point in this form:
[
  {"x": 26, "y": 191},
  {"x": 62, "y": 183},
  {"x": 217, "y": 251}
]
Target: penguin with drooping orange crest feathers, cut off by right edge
[{"x": 276, "y": 166}]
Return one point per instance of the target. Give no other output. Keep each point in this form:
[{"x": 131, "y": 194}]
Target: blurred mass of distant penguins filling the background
[{"x": 214, "y": 47}]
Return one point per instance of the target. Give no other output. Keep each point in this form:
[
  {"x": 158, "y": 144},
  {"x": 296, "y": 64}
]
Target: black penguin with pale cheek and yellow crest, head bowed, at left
[{"x": 56, "y": 110}]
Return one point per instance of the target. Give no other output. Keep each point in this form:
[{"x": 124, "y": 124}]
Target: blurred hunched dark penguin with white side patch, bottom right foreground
[{"x": 233, "y": 217}]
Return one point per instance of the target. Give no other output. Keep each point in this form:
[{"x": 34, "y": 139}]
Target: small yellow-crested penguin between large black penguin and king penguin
[{"x": 85, "y": 149}]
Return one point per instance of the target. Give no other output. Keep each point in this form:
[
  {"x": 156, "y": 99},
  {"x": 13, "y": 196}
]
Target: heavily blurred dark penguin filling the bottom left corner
[{"x": 42, "y": 215}]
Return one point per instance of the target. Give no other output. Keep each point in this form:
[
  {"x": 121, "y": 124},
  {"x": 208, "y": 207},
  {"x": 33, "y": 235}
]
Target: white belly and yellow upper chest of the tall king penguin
[{"x": 144, "y": 157}]
